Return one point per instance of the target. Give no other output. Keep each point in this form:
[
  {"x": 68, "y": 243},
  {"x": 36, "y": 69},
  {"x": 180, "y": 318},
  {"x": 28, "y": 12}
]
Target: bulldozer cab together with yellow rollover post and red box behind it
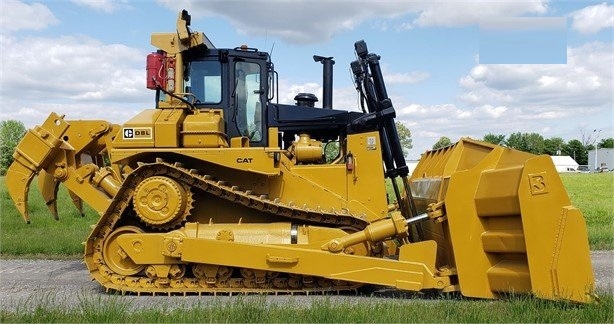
[{"x": 188, "y": 72}]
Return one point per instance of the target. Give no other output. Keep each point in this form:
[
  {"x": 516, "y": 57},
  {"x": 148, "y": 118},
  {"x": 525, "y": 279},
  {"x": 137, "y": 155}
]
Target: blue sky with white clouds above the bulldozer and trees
[{"x": 86, "y": 59}]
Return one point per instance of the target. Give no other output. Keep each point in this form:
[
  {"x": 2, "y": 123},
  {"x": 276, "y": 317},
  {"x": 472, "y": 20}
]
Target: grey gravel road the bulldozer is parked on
[{"x": 25, "y": 284}]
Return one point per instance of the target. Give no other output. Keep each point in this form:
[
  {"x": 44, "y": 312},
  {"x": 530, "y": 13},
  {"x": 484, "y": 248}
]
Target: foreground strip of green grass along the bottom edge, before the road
[{"x": 256, "y": 309}]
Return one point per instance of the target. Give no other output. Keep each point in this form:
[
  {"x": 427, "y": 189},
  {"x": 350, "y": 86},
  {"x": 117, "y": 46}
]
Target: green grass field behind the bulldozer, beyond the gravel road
[{"x": 592, "y": 193}]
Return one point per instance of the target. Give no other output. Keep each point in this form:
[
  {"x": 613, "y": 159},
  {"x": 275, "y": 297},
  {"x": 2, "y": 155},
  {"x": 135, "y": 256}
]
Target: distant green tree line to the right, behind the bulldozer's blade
[{"x": 537, "y": 144}]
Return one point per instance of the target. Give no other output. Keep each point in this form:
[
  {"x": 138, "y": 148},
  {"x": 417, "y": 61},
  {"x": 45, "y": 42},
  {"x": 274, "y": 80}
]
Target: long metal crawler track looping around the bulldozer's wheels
[{"x": 111, "y": 272}]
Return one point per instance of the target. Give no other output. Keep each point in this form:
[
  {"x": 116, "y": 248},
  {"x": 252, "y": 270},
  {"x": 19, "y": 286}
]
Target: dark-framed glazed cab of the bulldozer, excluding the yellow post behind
[{"x": 235, "y": 81}]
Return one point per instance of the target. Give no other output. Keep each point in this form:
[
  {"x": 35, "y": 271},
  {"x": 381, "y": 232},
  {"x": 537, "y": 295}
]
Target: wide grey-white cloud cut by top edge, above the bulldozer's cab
[{"x": 293, "y": 21}]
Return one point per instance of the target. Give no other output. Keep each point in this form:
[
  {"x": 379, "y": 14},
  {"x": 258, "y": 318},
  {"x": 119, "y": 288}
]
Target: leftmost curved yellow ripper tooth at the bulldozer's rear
[{"x": 18, "y": 179}]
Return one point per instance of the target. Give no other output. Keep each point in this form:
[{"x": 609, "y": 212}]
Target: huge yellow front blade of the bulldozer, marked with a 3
[{"x": 510, "y": 225}]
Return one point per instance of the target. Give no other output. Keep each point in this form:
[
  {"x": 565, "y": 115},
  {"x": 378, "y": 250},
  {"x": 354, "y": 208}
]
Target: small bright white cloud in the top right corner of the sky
[{"x": 592, "y": 19}]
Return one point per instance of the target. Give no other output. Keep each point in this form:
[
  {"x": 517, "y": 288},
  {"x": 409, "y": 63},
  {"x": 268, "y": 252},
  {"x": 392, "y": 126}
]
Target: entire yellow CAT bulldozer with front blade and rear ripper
[{"x": 221, "y": 189}]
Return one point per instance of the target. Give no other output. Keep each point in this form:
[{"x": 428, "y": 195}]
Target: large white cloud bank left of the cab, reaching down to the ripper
[{"x": 77, "y": 76}]
